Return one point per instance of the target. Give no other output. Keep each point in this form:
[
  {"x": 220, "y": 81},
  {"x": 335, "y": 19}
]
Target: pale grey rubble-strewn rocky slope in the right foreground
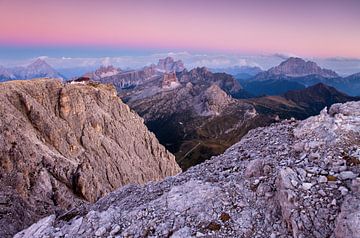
[{"x": 292, "y": 179}]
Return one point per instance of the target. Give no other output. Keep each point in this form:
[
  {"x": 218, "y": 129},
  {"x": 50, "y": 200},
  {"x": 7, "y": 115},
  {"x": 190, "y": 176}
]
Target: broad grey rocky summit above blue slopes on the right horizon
[{"x": 297, "y": 67}]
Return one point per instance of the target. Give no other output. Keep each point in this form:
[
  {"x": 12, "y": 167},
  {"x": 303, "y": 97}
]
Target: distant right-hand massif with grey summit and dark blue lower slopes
[{"x": 296, "y": 73}]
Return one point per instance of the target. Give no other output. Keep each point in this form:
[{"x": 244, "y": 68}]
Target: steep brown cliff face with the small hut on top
[{"x": 66, "y": 144}]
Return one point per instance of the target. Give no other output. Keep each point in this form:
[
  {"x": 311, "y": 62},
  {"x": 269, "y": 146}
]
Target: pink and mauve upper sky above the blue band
[{"x": 320, "y": 28}]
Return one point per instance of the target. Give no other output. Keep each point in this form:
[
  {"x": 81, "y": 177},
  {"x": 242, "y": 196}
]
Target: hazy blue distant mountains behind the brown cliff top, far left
[{"x": 38, "y": 69}]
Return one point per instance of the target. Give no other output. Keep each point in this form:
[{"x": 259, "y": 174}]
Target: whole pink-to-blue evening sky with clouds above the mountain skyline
[{"x": 128, "y": 33}]
